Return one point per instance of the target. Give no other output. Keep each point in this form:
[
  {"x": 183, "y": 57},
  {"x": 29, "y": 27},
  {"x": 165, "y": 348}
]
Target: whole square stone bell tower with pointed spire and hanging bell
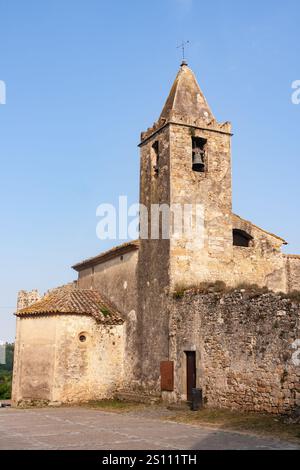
[{"x": 185, "y": 161}]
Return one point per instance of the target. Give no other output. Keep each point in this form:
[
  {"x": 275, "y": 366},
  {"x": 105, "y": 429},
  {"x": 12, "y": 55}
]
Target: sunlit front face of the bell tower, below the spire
[{"x": 205, "y": 256}]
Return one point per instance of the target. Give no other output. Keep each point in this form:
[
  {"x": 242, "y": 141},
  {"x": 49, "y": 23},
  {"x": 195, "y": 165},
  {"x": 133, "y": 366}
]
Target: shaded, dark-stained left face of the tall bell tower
[{"x": 153, "y": 266}]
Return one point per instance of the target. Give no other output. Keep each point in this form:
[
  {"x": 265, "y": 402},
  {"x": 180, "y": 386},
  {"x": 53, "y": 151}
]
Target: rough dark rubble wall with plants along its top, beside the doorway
[{"x": 247, "y": 347}]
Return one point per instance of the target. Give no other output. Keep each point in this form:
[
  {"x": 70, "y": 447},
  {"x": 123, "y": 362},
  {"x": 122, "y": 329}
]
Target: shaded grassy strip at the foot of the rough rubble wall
[{"x": 252, "y": 423}]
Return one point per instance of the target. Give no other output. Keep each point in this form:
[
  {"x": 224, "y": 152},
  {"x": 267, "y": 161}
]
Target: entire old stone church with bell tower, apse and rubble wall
[{"x": 155, "y": 318}]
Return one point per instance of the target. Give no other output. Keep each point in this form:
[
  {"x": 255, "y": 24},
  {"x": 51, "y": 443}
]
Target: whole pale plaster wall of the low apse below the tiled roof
[{"x": 53, "y": 365}]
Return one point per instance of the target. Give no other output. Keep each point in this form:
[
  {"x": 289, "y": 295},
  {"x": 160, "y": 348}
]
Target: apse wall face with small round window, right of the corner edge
[{"x": 90, "y": 370}]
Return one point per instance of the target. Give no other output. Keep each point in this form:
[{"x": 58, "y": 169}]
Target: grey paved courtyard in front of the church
[{"x": 83, "y": 428}]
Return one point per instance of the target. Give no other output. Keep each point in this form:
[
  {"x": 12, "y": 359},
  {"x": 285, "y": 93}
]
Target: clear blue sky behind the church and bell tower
[{"x": 85, "y": 77}]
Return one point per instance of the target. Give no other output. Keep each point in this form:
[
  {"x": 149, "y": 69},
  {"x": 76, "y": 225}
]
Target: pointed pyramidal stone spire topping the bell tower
[{"x": 186, "y": 97}]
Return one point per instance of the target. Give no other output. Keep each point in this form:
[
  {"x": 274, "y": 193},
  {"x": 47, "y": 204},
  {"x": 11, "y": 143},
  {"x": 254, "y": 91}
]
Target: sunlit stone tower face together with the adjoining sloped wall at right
[{"x": 210, "y": 255}]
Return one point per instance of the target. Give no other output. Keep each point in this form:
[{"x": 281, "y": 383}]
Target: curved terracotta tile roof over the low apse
[{"x": 75, "y": 301}]
